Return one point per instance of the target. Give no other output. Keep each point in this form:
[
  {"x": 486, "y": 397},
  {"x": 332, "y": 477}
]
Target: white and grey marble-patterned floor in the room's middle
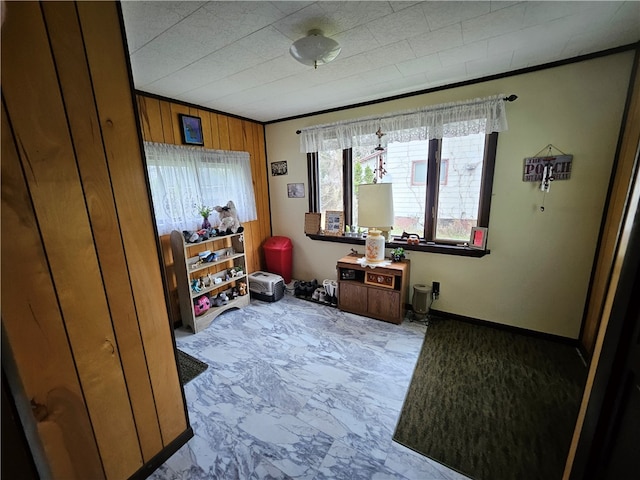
[{"x": 298, "y": 390}]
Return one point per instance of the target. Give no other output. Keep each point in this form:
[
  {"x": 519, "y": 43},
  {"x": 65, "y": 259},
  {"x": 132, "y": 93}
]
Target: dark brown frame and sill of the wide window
[{"x": 427, "y": 243}]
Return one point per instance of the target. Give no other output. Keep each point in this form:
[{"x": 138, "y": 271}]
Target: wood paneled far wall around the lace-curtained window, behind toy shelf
[{"x": 160, "y": 123}]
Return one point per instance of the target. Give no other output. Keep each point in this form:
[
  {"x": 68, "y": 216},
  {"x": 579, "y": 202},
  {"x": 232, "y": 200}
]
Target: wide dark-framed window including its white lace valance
[{"x": 441, "y": 198}]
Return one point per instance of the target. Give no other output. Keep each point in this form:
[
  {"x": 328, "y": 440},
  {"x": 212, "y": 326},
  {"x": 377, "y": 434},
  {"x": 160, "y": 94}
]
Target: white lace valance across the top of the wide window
[{"x": 456, "y": 119}]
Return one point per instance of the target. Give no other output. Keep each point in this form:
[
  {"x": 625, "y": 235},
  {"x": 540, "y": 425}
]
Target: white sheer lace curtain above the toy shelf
[{"x": 183, "y": 178}]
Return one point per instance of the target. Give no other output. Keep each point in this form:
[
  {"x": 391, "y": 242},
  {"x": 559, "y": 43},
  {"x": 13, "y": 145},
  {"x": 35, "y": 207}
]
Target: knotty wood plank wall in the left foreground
[{"x": 87, "y": 342}]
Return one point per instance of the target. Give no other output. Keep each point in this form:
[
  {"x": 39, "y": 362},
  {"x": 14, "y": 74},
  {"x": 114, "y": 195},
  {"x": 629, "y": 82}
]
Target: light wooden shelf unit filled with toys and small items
[{"x": 196, "y": 277}]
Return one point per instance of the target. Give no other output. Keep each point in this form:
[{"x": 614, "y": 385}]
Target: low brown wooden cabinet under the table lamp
[{"x": 379, "y": 292}]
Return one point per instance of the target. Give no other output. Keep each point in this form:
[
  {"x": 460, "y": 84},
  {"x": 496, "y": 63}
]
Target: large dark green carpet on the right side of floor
[{"x": 491, "y": 404}]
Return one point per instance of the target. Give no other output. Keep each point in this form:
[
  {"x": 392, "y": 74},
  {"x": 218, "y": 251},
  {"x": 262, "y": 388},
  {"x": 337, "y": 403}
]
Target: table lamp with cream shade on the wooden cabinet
[{"x": 375, "y": 211}]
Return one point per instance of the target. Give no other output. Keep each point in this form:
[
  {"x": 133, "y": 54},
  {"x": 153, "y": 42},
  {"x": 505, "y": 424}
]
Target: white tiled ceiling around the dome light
[{"x": 234, "y": 56}]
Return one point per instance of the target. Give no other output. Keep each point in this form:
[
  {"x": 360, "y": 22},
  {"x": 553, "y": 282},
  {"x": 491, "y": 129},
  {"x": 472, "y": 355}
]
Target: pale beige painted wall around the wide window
[{"x": 537, "y": 274}]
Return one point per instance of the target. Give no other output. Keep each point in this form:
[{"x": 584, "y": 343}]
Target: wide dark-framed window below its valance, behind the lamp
[{"x": 442, "y": 212}]
